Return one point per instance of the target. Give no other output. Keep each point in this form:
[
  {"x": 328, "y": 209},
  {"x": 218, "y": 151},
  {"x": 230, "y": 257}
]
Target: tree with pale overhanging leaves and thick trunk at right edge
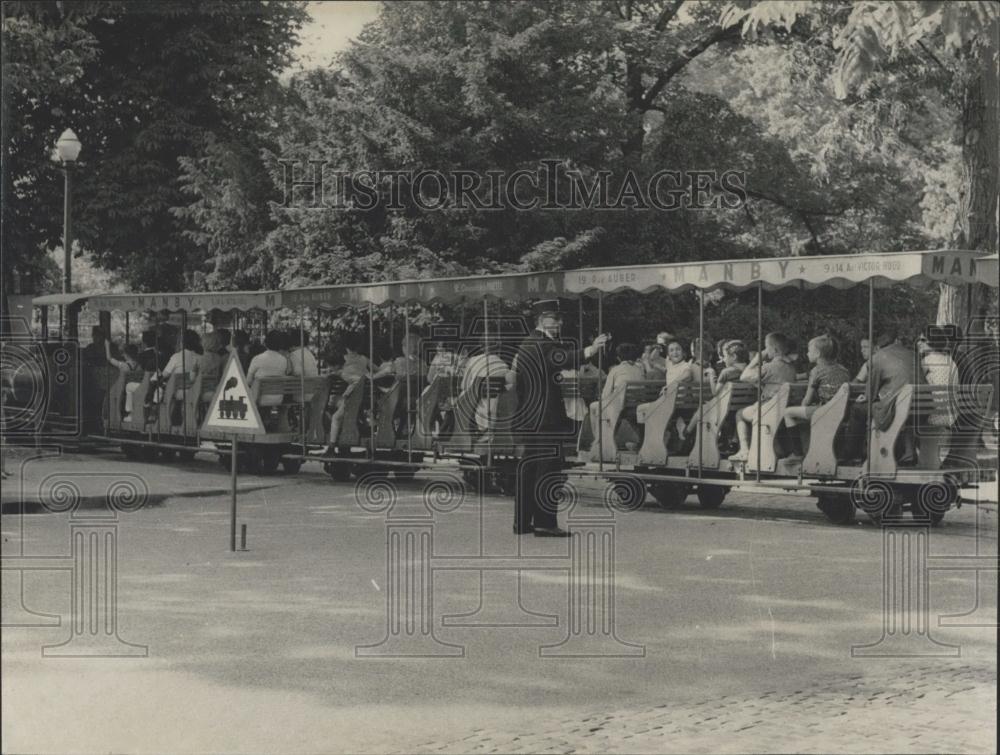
[{"x": 959, "y": 39}]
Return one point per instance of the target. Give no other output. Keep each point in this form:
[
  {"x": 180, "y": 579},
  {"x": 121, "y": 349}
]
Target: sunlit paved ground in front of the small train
[{"x": 744, "y": 618}]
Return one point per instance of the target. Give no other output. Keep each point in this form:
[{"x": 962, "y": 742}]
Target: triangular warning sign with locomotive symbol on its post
[{"x": 233, "y": 412}]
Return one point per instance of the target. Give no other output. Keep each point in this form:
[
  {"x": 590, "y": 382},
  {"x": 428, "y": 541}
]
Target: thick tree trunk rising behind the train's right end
[{"x": 979, "y": 203}]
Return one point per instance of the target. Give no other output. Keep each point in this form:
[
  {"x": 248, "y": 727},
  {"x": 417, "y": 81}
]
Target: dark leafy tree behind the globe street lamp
[{"x": 144, "y": 85}]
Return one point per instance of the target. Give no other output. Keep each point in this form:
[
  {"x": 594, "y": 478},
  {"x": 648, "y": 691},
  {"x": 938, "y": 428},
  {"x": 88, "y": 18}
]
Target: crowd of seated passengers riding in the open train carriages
[{"x": 940, "y": 356}]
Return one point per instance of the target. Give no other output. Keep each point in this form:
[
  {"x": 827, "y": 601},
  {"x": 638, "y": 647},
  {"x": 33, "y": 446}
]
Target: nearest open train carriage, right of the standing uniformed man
[{"x": 643, "y": 441}]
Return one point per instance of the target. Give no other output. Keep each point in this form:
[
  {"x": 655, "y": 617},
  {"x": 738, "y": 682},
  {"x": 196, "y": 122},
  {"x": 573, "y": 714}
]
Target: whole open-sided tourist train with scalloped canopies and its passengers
[{"x": 668, "y": 439}]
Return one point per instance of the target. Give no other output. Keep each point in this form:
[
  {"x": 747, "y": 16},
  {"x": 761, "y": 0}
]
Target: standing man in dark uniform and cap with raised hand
[{"x": 540, "y": 425}]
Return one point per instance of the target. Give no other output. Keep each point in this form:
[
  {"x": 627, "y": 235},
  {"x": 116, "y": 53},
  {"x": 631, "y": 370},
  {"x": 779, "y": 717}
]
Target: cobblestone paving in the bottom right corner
[{"x": 923, "y": 709}]
